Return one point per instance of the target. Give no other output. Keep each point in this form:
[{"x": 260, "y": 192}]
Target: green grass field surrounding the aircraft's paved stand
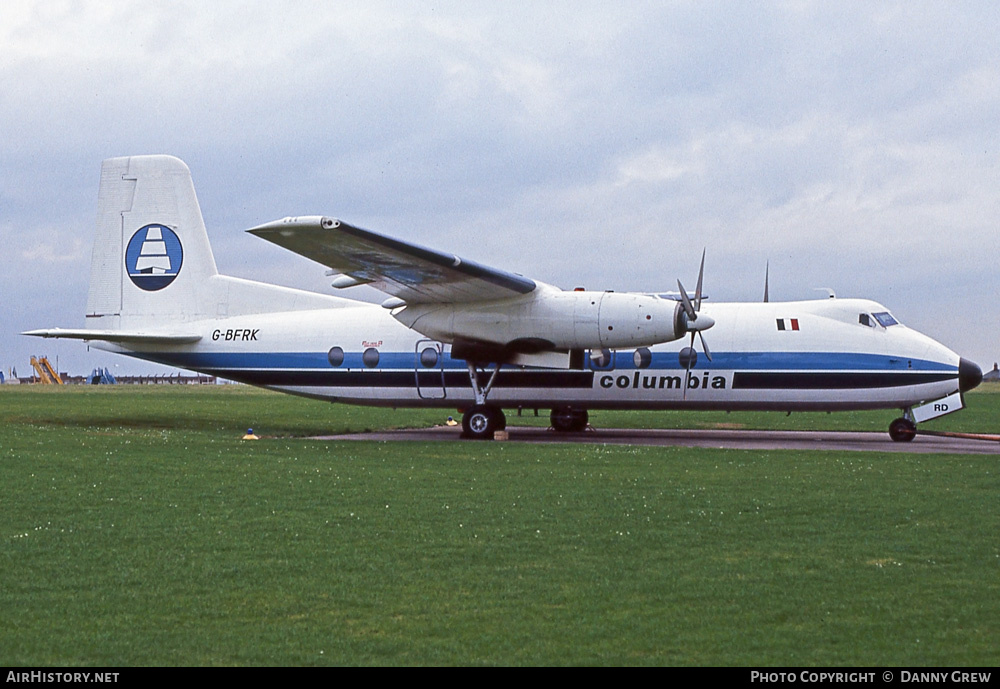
[{"x": 137, "y": 529}]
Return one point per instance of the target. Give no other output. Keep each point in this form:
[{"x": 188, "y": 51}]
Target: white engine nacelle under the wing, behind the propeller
[{"x": 551, "y": 319}]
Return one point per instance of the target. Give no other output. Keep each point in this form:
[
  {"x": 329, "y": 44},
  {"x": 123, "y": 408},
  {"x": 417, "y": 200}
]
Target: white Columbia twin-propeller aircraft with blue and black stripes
[{"x": 454, "y": 333}]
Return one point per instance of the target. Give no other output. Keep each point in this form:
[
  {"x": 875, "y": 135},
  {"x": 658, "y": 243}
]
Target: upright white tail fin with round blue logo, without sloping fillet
[{"x": 151, "y": 254}]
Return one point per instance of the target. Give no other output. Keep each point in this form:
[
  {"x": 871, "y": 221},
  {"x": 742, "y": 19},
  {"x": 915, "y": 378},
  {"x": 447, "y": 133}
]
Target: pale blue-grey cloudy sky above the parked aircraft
[{"x": 848, "y": 145}]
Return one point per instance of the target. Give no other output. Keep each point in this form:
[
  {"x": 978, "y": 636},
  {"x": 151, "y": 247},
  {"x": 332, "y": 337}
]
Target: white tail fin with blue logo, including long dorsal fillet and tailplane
[{"x": 153, "y": 267}]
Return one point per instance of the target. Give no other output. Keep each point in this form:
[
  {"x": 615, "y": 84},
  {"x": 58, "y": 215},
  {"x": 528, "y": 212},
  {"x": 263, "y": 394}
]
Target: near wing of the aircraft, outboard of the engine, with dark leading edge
[{"x": 415, "y": 274}]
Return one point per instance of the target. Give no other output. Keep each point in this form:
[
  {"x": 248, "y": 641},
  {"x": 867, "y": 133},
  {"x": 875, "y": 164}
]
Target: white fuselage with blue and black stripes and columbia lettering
[{"x": 812, "y": 355}]
